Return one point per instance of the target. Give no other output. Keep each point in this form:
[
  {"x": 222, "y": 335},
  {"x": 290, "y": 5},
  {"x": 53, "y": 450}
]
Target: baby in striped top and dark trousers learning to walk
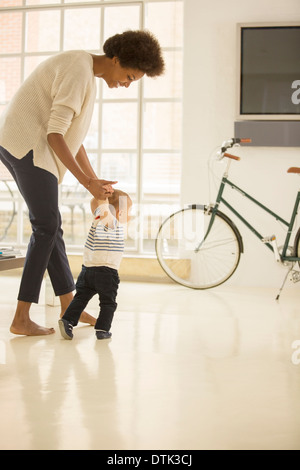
[{"x": 102, "y": 256}]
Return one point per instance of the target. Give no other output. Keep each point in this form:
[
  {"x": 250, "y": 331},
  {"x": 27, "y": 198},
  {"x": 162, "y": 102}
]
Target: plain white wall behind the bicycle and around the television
[{"x": 209, "y": 111}]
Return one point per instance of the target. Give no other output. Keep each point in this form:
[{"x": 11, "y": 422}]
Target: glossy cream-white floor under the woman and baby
[{"x": 184, "y": 370}]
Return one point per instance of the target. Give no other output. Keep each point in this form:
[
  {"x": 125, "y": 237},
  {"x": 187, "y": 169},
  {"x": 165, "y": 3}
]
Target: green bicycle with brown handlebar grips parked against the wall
[{"x": 200, "y": 247}]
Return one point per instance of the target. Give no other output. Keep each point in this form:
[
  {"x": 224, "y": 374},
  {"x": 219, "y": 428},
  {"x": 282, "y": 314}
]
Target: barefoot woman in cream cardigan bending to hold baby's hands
[{"x": 41, "y": 135}]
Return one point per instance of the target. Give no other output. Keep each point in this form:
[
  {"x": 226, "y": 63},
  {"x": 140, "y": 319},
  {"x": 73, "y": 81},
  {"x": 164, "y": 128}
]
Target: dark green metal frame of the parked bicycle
[{"x": 289, "y": 224}]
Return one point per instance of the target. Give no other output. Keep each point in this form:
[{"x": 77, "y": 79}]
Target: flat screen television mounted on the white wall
[{"x": 269, "y": 71}]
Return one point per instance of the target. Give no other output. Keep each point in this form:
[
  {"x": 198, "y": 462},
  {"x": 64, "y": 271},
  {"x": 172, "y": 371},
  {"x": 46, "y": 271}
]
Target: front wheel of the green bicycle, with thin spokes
[{"x": 192, "y": 258}]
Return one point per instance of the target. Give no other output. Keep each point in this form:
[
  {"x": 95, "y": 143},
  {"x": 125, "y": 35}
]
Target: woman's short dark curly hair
[{"x": 137, "y": 50}]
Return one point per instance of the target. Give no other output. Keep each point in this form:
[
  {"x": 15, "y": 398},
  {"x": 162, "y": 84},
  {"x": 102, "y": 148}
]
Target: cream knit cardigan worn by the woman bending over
[{"x": 57, "y": 97}]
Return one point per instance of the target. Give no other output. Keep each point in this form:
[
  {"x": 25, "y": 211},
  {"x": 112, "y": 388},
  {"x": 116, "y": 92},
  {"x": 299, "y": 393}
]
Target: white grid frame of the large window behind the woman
[{"x": 141, "y": 101}]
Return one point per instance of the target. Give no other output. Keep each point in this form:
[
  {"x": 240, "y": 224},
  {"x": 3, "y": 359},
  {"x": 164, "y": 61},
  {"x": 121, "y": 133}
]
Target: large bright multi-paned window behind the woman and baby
[{"x": 135, "y": 134}]
